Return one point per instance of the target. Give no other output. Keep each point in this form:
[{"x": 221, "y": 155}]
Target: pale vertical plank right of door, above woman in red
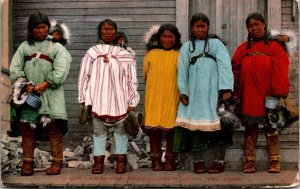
[{"x": 274, "y": 14}]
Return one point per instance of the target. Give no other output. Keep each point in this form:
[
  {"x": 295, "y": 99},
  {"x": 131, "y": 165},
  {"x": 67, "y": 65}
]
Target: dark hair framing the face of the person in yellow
[{"x": 155, "y": 38}]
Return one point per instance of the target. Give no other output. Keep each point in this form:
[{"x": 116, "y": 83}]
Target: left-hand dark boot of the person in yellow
[{"x": 155, "y": 137}]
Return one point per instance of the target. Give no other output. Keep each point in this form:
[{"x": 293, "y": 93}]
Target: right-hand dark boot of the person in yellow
[{"x": 170, "y": 156}]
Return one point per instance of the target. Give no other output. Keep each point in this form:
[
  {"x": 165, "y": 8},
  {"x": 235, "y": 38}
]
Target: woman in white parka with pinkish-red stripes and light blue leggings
[{"x": 108, "y": 83}]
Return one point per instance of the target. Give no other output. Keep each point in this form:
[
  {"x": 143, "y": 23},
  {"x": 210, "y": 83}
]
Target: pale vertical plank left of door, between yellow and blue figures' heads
[{"x": 182, "y": 18}]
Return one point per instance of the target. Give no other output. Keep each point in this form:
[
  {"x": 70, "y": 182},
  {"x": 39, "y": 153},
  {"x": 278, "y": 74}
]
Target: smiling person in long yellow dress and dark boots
[{"x": 162, "y": 97}]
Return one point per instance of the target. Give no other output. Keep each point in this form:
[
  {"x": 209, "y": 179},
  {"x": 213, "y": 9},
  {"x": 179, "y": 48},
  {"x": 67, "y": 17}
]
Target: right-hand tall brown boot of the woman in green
[{"x": 56, "y": 143}]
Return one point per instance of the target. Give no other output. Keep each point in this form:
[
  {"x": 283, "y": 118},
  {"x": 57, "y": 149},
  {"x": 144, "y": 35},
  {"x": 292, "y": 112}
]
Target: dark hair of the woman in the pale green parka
[{"x": 34, "y": 20}]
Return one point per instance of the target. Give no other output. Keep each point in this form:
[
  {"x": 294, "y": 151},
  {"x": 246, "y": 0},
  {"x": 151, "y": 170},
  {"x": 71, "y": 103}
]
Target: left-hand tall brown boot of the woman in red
[{"x": 250, "y": 140}]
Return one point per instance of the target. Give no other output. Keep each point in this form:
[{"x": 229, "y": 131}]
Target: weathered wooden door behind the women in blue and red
[{"x": 227, "y": 18}]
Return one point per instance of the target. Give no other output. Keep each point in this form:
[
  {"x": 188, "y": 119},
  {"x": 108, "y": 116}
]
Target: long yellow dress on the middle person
[{"x": 161, "y": 96}]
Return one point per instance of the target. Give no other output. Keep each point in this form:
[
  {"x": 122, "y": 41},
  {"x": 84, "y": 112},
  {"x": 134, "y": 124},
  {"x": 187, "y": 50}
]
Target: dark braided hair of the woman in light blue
[{"x": 196, "y": 17}]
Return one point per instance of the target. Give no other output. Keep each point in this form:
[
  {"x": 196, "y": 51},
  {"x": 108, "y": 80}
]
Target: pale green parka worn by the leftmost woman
[{"x": 38, "y": 70}]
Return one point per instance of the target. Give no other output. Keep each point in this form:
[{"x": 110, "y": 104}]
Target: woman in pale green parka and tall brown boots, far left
[{"x": 42, "y": 66}]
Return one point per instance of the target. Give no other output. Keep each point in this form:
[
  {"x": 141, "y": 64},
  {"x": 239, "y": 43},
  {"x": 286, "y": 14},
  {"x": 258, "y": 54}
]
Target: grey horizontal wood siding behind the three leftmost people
[{"x": 133, "y": 17}]
